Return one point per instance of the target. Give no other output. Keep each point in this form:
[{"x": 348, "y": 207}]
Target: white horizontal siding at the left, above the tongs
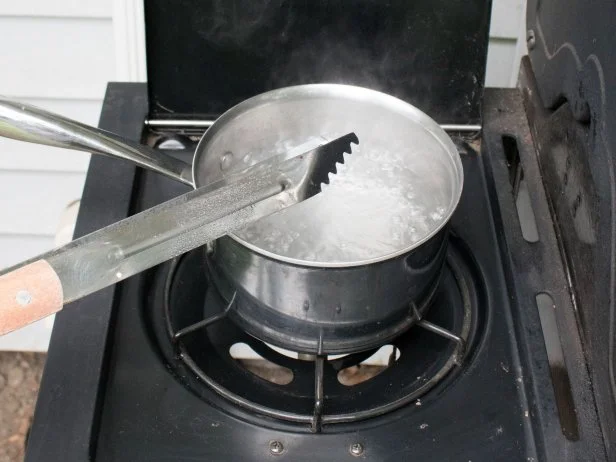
[{"x": 60, "y": 57}]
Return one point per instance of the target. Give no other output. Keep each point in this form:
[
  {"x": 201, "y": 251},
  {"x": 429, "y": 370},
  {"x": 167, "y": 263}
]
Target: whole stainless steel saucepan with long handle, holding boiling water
[{"x": 342, "y": 272}]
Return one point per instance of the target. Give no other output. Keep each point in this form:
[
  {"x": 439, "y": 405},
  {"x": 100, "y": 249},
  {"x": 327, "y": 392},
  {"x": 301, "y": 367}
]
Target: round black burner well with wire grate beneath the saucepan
[{"x": 197, "y": 343}]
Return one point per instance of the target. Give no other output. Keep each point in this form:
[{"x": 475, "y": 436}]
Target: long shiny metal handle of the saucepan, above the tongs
[{"x": 34, "y": 125}]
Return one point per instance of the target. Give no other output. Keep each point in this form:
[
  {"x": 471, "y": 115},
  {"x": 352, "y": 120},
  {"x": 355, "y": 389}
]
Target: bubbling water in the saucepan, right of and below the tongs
[{"x": 378, "y": 203}]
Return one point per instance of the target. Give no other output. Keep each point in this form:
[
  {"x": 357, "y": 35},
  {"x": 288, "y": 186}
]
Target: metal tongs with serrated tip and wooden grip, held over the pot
[{"x": 41, "y": 286}]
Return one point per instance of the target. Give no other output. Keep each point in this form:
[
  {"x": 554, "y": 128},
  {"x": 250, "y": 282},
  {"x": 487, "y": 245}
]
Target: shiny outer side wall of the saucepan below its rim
[{"x": 352, "y": 316}]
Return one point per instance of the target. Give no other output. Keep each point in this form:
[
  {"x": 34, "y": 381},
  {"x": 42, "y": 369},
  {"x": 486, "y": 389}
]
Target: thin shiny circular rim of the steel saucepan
[{"x": 358, "y": 93}]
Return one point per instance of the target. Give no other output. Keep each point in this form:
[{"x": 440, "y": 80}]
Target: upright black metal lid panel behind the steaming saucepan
[{"x": 205, "y": 56}]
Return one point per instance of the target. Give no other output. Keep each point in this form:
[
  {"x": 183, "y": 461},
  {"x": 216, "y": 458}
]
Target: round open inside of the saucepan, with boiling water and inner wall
[{"x": 398, "y": 187}]
